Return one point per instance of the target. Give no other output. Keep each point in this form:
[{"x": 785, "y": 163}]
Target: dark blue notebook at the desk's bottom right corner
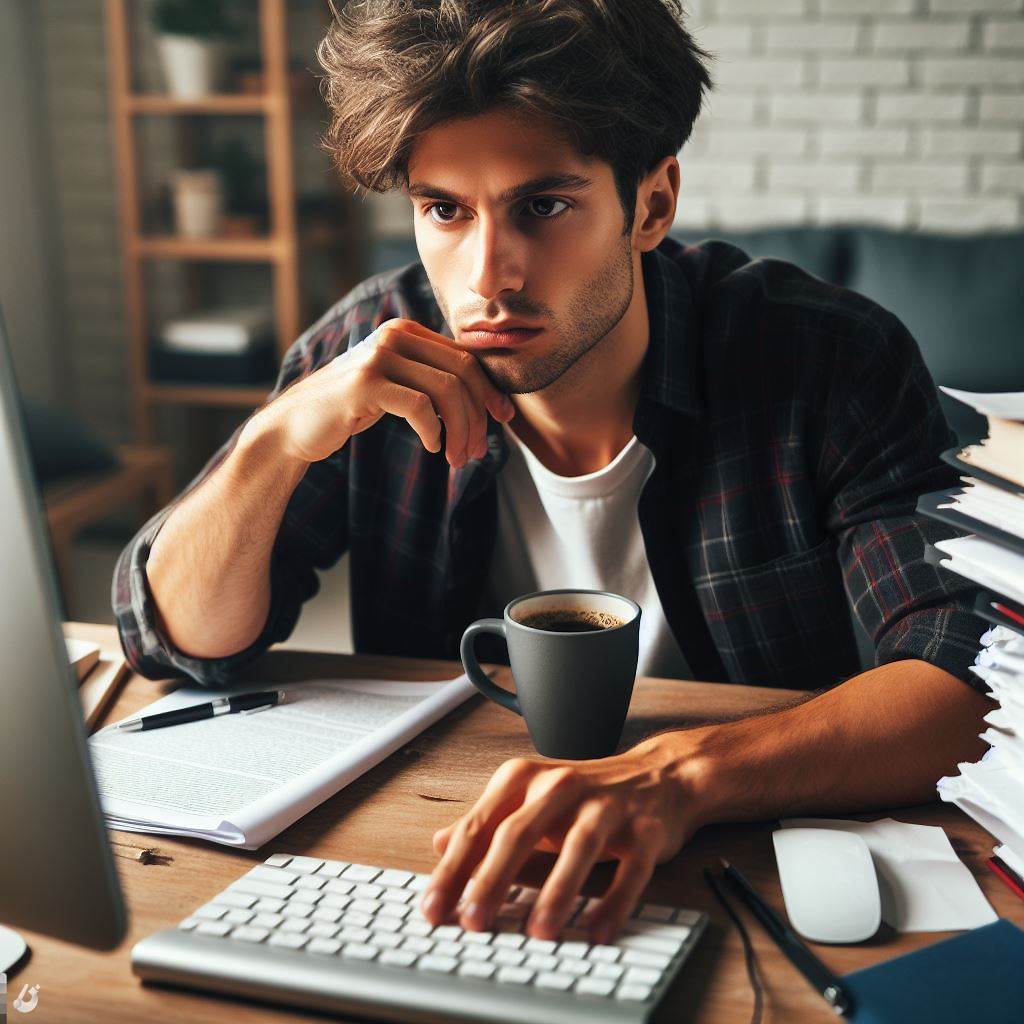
[{"x": 977, "y": 976}]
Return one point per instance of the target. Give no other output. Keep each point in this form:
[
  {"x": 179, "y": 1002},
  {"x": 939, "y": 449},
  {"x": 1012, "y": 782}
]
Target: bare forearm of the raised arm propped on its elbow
[{"x": 209, "y": 568}]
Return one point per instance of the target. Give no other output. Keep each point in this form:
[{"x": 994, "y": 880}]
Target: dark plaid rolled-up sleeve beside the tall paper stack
[{"x": 884, "y": 434}]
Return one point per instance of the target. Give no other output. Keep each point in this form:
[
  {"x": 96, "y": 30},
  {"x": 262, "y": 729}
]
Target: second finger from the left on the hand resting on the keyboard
[{"x": 517, "y": 838}]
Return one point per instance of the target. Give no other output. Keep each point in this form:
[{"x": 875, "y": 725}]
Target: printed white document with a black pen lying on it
[{"x": 242, "y": 779}]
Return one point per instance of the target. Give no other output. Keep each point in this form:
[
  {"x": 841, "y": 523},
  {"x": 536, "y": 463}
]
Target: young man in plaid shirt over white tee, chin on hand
[{"x": 736, "y": 445}]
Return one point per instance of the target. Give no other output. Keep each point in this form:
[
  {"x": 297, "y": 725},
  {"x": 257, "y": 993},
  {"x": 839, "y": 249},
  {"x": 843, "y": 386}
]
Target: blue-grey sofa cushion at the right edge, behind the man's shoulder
[{"x": 962, "y": 297}]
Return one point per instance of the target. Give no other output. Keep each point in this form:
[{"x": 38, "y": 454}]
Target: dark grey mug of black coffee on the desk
[{"x": 573, "y": 690}]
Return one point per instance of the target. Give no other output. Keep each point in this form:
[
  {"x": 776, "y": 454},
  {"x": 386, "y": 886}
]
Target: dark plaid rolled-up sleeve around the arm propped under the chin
[{"x": 313, "y": 536}]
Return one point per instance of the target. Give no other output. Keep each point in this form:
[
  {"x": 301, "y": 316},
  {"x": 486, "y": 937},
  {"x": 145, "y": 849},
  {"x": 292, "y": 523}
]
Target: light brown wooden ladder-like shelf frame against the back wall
[{"x": 280, "y": 249}]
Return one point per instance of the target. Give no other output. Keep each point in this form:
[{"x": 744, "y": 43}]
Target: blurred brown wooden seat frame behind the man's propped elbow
[{"x": 146, "y": 476}]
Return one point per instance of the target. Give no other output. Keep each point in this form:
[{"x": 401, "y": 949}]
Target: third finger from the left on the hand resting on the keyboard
[{"x": 582, "y": 849}]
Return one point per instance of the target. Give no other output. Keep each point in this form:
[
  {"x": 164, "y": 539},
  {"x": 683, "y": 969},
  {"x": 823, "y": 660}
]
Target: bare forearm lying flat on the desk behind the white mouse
[{"x": 881, "y": 739}]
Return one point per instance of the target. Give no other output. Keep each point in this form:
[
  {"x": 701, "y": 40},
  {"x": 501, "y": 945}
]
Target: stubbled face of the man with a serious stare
[{"x": 553, "y": 258}]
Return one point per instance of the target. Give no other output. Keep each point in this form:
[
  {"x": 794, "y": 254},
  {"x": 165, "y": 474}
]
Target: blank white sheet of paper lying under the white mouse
[{"x": 924, "y": 885}]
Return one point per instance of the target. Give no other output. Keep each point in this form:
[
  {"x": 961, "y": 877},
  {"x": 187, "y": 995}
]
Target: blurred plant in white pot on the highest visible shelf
[{"x": 191, "y": 36}]
